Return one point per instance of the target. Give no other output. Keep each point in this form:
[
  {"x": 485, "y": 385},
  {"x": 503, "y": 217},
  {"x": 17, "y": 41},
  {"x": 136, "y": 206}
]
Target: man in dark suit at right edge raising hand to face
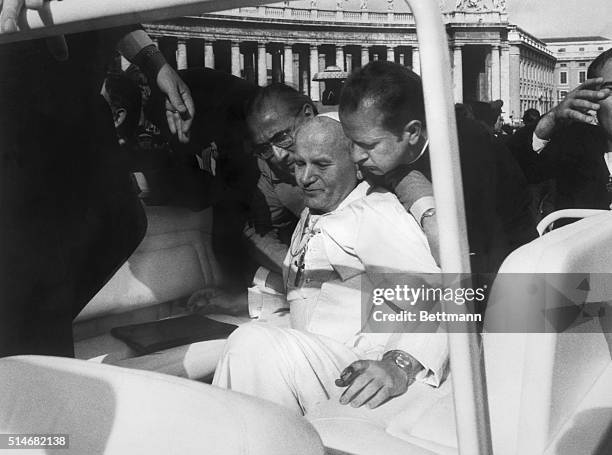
[{"x": 572, "y": 143}]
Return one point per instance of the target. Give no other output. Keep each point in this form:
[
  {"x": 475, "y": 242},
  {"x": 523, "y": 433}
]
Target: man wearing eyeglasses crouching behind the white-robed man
[{"x": 273, "y": 116}]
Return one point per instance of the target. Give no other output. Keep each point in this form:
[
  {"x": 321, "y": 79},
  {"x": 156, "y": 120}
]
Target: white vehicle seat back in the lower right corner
[{"x": 550, "y": 392}]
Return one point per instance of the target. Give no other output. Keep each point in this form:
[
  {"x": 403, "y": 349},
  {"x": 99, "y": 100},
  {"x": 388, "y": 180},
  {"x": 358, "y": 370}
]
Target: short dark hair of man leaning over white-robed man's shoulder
[{"x": 395, "y": 91}]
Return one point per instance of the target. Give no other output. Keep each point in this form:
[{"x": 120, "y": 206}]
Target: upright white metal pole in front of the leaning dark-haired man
[{"x": 469, "y": 383}]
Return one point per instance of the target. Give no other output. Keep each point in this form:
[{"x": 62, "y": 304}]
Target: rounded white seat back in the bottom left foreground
[{"x": 110, "y": 410}]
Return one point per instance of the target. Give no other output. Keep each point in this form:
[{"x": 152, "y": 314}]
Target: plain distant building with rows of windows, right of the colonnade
[{"x": 574, "y": 55}]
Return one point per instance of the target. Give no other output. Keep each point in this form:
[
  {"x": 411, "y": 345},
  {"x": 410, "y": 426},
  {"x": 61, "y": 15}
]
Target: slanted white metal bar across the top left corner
[{"x": 74, "y": 16}]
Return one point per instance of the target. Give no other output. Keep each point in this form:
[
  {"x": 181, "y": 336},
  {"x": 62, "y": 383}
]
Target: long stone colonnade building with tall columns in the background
[{"x": 292, "y": 41}]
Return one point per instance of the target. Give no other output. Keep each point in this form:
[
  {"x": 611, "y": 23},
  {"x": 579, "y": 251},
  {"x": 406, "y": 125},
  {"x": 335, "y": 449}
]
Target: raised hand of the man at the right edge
[{"x": 574, "y": 107}]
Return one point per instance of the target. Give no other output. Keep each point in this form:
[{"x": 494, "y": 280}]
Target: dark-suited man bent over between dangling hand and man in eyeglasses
[{"x": 215, "y": 168}]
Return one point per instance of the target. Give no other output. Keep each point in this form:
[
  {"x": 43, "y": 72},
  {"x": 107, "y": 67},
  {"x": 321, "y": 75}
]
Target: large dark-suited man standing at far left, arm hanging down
[{"x": 69, "y": 216}]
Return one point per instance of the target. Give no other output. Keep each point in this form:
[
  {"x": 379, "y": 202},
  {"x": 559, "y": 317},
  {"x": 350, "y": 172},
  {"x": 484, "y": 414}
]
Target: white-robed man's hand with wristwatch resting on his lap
[{"x": 372, "y": 382}]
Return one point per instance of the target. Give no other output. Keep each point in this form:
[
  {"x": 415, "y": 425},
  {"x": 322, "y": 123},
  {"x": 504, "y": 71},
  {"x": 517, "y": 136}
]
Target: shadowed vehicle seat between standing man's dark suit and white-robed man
[{"x": 174, "y": 260}]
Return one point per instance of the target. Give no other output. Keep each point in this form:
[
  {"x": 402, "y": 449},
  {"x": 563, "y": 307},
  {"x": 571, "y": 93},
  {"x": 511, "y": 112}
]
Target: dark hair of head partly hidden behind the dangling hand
[{"x": 123, "y": 93}]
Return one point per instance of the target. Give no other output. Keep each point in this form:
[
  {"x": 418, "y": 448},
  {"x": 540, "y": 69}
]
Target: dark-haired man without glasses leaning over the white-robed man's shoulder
[{"x": 382, "y": 112}]
